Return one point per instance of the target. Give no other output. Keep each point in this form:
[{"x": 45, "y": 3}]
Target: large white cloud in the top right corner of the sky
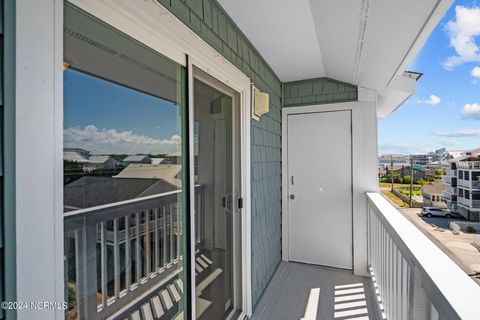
[{"x": 462, "y": 33}]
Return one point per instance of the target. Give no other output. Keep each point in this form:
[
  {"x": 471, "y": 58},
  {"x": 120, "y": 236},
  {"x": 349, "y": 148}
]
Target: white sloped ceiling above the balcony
[{"x": 364, "y": 42}]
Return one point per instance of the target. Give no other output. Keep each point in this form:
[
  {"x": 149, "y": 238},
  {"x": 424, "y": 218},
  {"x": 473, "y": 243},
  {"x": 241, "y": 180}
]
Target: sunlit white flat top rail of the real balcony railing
[{"x": 456, "y": 287}]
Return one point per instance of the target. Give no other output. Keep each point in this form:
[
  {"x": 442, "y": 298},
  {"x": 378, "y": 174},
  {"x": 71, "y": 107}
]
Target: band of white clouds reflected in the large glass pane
[{"x": 113, "y": 141}]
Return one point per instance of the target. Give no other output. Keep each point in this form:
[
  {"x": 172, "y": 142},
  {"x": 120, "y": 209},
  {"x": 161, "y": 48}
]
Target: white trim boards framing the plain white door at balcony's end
[{"x": 364, "y": 166}]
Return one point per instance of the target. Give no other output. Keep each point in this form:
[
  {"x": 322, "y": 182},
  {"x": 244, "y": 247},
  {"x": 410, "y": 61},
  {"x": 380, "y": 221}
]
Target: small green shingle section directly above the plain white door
[{"x": 317, "y": 91}]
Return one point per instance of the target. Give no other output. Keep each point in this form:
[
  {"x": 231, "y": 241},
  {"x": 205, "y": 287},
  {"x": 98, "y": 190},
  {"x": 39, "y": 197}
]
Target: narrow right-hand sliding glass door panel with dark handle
[{"x": 216, "y": 148}]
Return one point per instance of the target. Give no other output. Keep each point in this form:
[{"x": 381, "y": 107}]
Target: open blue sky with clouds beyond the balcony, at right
[{"x": 445, "y": 112}]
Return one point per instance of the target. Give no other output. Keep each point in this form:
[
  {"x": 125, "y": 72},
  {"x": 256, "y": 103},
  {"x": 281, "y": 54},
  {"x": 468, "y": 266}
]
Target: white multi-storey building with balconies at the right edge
[{"x": 461, "y": 185}]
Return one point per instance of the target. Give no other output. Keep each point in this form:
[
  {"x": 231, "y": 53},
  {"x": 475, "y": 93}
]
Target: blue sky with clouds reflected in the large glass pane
[{"x": 106, "y": 118}]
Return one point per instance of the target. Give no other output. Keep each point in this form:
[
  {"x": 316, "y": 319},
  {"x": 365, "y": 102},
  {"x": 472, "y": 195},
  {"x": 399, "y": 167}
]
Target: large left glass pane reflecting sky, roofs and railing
[{"x": 123, "y": 173}]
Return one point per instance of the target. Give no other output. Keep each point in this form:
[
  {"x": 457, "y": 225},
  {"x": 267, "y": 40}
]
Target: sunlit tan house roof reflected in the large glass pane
[{"x": 167, "y": 172}]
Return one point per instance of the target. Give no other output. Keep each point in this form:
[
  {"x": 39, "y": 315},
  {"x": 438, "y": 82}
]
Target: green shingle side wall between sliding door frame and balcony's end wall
[{"x": 209, "y": 20}]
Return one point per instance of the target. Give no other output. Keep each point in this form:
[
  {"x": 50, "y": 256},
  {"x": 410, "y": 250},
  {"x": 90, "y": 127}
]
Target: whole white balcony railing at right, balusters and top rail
[{"x": 413, "y": 278}]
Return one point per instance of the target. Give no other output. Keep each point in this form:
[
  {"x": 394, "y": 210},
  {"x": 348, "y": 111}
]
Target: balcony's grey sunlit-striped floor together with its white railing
[{"x": 411, "y": 278}]
